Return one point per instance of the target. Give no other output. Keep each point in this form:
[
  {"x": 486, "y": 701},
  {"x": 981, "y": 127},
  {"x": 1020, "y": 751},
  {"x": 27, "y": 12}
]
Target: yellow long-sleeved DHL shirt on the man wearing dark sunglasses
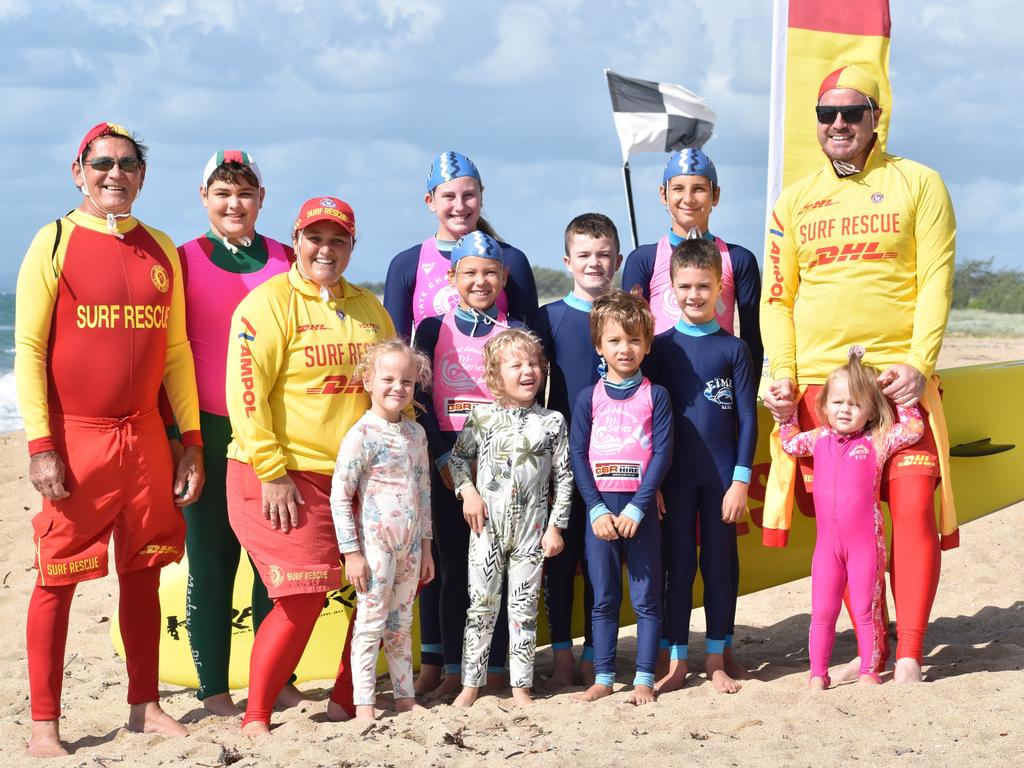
[{"x": 866, "y": 260}]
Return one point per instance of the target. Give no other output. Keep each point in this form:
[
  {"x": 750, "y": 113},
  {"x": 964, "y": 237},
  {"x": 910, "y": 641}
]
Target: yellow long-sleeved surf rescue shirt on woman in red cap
[{"x": 292, "y": 392}]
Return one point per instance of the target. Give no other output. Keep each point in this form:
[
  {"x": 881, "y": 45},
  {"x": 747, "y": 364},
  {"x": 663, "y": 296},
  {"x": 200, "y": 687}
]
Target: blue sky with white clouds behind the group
[{"x": 356, "y": 98}]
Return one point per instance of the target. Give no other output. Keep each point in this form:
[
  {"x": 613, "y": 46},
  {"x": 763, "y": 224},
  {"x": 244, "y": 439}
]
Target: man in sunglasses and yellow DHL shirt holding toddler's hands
[{"x": 862, "y": 252}]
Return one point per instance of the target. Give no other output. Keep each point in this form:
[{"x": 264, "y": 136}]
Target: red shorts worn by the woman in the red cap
[{"x": 306, "y": 560}]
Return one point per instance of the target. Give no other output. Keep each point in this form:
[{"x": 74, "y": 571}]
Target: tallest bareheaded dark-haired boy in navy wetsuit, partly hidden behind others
[{"x": 592, "y": 258}]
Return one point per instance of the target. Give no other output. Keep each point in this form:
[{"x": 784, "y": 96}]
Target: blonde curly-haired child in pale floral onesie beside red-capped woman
[{"x": 387, "y": 544}]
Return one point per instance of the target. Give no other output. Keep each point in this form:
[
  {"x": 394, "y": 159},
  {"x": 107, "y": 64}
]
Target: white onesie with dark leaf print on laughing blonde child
[{"x": 521, "y": 453}]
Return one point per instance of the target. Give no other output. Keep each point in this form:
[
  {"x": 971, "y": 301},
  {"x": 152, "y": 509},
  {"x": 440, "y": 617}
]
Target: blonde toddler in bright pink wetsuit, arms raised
[{"x": 850, "y": 551}]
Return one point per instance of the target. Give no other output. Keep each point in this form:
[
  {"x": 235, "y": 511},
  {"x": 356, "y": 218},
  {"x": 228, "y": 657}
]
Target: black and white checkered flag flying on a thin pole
[{"x": 657, "y": 117}]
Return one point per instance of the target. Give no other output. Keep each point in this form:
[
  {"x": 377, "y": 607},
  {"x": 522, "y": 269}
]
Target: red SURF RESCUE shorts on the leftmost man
[{"x": 120, "y": 478}]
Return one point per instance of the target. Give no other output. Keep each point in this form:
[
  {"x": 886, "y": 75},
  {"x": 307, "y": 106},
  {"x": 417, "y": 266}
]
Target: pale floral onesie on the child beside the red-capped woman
[{"x": 387, "y": 466}]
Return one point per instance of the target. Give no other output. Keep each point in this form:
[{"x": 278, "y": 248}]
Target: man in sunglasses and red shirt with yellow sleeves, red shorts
[{"x": 100, "y": 325}]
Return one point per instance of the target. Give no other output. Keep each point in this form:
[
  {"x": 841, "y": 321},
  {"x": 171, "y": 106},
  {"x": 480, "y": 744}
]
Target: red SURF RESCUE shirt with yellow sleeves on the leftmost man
[{"x": 100, "y": 324}]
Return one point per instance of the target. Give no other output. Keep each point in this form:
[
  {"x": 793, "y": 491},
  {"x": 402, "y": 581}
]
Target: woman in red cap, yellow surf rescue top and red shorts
[{"x": 292, "y": 395}]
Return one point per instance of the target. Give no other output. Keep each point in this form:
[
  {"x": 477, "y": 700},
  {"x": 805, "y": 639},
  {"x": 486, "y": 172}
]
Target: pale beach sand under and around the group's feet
[{"x": 969, "y": 712}]
